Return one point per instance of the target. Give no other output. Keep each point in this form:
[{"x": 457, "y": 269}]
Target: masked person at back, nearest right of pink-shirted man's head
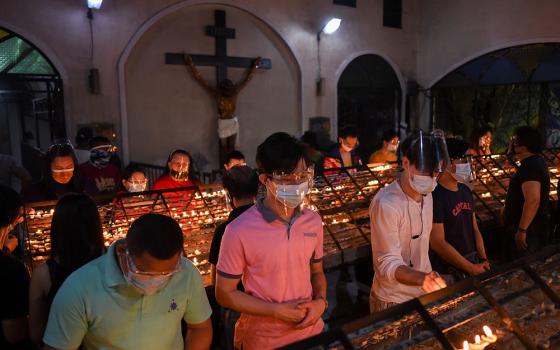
[{"x": 344, "y": 154}]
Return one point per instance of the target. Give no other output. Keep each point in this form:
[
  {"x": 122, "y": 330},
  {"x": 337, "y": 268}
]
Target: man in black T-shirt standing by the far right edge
[{"x": 526, "y": 213}]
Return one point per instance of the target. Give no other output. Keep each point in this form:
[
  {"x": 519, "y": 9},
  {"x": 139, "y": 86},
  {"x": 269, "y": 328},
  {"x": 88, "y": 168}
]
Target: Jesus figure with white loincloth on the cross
[{"x": 225, "y": 95}]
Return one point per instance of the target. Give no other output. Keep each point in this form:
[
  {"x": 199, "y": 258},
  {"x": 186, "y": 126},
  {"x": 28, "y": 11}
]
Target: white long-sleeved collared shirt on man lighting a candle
[{"x": 395, "y": 220}]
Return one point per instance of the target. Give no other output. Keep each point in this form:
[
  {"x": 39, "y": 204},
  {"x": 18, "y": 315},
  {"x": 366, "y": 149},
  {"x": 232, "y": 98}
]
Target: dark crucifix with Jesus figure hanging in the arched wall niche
[{"x": 225, "y": 93}]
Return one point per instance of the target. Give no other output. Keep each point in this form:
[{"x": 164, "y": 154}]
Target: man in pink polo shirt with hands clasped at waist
[{"x": 276, "y": 248}]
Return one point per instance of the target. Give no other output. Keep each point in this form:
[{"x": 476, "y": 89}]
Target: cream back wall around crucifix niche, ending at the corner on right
[{"x": 60, "y": 29}]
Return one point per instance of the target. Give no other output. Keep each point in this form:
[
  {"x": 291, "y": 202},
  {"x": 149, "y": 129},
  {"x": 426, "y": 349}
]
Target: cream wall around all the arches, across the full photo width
[{"x": 438, "y": 36}]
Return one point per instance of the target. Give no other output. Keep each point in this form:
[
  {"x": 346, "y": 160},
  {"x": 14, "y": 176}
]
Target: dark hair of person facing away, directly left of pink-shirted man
[{"x": 241, "y": 182}]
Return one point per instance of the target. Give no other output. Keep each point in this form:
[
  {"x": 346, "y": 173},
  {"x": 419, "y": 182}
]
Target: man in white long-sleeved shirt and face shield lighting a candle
[{"x": 401, "y": 221}]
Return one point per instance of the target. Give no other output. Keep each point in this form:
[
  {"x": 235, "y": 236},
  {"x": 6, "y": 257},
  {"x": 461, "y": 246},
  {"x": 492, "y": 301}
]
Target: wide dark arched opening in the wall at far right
[{"x": 502, "y": 90}]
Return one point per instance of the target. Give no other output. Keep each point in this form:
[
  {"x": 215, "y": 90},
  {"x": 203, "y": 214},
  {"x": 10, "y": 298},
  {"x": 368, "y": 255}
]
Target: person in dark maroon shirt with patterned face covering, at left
[{"x": 99, "y": 176}]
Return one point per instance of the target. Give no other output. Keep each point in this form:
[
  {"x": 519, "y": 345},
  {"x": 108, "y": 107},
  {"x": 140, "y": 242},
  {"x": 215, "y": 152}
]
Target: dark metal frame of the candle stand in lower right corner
[{"x": 421, "y": 306}]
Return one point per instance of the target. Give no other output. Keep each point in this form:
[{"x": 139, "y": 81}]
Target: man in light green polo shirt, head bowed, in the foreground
[{"x": 133, "y": 297}]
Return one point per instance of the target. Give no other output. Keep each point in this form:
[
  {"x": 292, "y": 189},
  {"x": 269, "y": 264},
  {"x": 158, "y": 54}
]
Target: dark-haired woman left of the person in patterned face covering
[{"x": 60, "y": 175}]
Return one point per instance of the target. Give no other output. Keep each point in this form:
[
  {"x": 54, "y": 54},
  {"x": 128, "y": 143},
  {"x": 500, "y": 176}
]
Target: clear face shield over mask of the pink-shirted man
[{"x": 291, "y": 189}]
